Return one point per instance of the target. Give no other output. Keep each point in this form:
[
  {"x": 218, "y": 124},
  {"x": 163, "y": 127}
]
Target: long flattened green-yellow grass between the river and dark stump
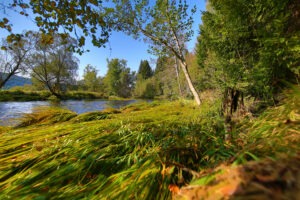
[{"x": 109, "y": 154}]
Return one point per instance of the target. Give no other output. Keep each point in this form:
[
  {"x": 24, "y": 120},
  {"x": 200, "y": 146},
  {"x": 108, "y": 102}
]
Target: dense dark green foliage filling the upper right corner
[{"x": 249, "y": 46}]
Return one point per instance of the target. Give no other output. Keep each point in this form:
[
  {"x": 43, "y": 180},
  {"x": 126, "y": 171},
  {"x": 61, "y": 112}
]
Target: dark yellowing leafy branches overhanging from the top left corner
[{"x": 80, "y": 18}]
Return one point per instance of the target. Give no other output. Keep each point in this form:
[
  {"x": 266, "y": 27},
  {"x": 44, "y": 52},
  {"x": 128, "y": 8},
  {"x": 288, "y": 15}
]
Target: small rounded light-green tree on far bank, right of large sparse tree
[{"x": 90, "y": 78}]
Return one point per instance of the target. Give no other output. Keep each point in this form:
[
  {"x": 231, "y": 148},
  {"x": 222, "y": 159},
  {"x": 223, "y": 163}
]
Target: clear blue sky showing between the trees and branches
[{"x": 120, "y": 45}]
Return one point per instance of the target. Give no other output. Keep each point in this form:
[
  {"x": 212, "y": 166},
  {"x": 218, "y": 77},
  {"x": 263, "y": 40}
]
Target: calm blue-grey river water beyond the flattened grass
[{"x": 10, "y": 111}]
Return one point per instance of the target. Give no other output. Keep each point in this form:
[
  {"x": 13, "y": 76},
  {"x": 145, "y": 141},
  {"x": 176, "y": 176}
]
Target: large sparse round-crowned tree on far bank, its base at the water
[{"x": 52, "y": 62}]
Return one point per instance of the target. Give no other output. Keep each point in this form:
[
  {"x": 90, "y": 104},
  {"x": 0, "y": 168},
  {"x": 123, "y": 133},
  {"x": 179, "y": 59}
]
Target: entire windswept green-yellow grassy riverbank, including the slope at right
[{"x": 142, "y": 151}]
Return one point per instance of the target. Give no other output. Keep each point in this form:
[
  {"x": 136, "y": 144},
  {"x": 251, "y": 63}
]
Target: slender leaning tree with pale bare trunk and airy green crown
[{"x": 166, "y": 25}]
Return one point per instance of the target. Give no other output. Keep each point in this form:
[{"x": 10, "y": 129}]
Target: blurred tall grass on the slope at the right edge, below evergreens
[{"x": 276, "y": 131}]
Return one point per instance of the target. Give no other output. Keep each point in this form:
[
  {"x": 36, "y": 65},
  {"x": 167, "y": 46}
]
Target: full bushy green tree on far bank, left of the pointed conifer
[{"x": 118, "y": 80}]
